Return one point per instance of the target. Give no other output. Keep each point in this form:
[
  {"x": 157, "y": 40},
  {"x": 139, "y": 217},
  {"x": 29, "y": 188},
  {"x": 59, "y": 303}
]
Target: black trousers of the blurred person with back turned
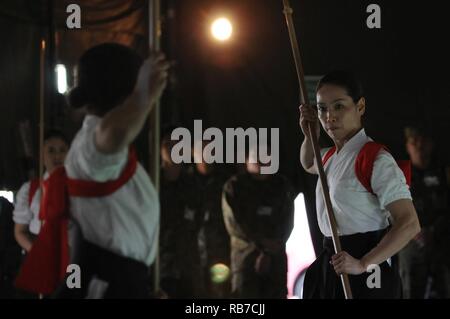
[{"x": 126, "y": 277}]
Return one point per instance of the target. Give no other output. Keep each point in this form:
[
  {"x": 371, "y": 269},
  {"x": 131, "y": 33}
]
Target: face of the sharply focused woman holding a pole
[{"x": 339, "y": 115}]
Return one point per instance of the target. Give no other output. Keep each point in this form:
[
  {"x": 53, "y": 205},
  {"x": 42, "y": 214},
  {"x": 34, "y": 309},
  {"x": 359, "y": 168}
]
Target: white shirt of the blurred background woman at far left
[{"x": 27, "y": 214}]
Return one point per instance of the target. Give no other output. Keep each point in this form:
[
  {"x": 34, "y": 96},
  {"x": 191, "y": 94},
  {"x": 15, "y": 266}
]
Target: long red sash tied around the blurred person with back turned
[{"x": 45, "y": 266}]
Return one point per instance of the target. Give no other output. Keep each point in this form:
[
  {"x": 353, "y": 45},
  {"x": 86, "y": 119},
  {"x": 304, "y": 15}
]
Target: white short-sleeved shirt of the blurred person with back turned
[{"x": 124, "y": 222}]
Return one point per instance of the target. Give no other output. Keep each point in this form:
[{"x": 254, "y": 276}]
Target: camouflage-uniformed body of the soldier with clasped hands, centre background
[{"x": 258, "y": 212}]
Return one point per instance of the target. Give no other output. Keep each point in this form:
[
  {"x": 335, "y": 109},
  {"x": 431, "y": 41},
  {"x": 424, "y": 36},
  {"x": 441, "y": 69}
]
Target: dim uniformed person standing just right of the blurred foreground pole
[{"x": 180, "y": 263}]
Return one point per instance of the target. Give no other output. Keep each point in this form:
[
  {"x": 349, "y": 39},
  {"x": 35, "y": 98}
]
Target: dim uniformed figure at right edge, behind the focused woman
[{"x": 424, "y": 261}]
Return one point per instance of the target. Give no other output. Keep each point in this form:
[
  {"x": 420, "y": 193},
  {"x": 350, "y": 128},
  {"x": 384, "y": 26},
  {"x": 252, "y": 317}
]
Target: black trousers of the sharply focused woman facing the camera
[{"x": 322, "y": 282}]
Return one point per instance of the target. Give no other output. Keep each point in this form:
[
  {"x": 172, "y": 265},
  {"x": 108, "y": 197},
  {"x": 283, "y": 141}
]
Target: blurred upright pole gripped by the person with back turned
[{"x": 154, "y": 121}]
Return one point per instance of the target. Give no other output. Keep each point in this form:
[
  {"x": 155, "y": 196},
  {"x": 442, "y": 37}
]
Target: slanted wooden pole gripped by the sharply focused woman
[{"x": 315, "y": 144}]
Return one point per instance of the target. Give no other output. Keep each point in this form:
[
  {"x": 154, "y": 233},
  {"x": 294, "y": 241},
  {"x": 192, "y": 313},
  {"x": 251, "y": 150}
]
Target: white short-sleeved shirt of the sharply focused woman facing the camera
[{"x": 357, "y": 210}]
